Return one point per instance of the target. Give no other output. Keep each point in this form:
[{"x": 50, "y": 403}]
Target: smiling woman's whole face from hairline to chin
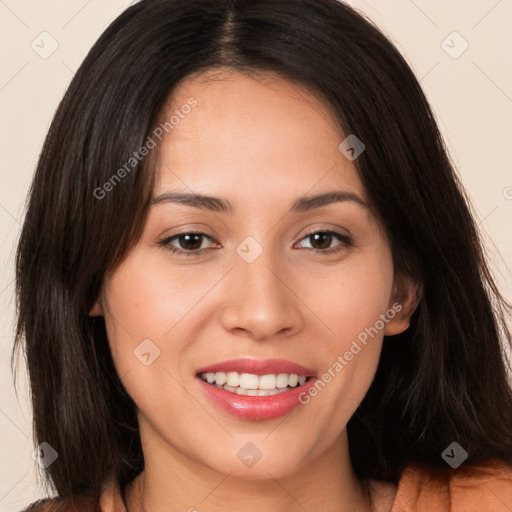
[{"x": 295, "y": 287}]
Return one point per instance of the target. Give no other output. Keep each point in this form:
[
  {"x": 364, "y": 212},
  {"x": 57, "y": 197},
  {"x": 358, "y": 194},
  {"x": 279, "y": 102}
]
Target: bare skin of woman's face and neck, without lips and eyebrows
[{"x": 260, "y": 144}]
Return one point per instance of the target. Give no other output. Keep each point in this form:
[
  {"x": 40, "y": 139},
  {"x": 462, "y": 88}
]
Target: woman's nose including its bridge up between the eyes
[{"x": 260, "y": 302}]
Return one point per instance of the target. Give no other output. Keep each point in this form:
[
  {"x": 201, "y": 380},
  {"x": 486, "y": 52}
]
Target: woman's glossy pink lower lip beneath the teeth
[{"x": 256, "y": 407}]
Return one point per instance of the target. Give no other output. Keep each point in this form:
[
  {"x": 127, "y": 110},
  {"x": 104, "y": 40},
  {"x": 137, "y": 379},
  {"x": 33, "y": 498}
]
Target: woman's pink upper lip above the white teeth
[{"x": 258, "y": 367}]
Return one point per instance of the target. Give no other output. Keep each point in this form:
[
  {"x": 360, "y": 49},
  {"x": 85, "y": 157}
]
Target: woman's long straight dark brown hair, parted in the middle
[{"x": 443, "y": 380}]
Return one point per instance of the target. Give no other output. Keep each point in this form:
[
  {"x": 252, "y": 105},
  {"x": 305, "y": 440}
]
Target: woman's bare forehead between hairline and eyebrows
[{"x": 251, "y": 138}]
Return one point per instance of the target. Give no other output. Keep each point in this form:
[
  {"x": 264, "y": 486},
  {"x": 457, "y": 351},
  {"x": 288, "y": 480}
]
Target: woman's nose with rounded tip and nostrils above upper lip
[{"x": 260, "y": 300}]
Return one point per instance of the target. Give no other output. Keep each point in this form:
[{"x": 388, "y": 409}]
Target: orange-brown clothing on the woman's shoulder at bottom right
[{"x": 486, "y": 485}]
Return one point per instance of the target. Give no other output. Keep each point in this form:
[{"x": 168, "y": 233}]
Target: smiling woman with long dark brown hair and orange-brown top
[{"x": 249, "y": 278}]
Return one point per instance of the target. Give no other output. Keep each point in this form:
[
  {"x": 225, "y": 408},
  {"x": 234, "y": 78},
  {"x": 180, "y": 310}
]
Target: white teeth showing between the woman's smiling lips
[{"x": 250, "y": 384}]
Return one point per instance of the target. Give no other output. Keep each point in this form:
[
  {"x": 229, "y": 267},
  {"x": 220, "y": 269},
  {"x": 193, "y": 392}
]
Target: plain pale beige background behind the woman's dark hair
[{"x": 469, "y": 88}]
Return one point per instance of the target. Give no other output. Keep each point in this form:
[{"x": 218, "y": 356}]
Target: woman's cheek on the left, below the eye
[{"x": 151, "y": 317}]
